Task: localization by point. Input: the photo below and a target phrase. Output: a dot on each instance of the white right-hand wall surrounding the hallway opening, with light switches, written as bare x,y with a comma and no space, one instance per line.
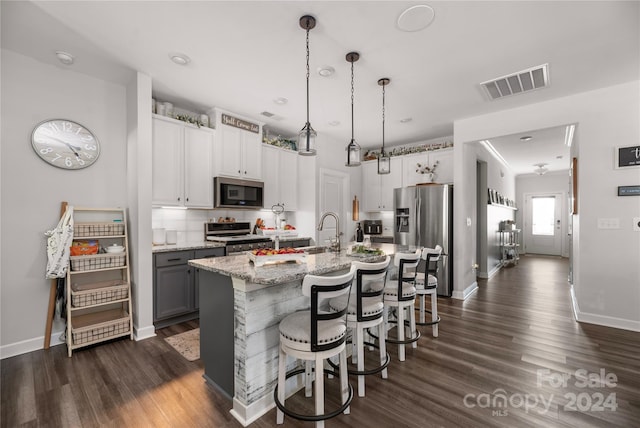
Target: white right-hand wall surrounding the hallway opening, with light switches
606,269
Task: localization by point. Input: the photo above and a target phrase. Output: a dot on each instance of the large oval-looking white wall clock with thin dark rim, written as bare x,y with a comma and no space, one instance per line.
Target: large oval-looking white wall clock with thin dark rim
65,144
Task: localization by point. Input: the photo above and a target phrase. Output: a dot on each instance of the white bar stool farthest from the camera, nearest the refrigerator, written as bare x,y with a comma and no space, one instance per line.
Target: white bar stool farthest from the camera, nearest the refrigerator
431,256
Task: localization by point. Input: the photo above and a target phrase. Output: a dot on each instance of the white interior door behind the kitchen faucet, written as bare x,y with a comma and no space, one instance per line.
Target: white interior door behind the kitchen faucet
333,188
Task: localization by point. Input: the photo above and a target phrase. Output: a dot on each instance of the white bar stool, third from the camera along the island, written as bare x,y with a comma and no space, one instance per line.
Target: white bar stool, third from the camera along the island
400,294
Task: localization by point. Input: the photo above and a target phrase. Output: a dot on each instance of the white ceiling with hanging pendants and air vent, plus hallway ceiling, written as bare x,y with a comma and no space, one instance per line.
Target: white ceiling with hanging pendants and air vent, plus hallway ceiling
245,54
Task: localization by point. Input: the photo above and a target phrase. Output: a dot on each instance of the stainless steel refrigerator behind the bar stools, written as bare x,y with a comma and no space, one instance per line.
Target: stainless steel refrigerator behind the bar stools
423,217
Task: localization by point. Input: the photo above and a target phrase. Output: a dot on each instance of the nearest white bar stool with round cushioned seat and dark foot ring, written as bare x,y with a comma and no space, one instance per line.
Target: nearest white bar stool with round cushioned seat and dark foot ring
315,335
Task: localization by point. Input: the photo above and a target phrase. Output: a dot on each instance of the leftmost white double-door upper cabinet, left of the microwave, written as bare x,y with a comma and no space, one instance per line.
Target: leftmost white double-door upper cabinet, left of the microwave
182,172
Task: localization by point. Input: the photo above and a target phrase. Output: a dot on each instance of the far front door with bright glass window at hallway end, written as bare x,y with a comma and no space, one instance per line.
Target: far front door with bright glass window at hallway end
543,224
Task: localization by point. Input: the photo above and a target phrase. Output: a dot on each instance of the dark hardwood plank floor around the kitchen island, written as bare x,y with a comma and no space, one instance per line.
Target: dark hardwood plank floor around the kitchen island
509,356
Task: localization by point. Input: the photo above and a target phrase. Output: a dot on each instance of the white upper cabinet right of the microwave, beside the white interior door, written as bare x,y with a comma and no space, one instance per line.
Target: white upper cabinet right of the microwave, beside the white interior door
280,171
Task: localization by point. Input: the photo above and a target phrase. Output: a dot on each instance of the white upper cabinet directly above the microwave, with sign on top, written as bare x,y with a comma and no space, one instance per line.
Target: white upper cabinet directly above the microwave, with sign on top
238,148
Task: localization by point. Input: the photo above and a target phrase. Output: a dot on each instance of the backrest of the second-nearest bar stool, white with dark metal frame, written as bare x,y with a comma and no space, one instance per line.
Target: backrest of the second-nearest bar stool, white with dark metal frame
366,275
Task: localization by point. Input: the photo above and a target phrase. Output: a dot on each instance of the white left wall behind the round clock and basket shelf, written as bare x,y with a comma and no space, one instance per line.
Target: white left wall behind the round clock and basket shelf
33,190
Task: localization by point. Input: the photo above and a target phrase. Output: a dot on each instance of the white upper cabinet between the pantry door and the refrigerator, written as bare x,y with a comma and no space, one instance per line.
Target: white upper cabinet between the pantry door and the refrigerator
378,188
